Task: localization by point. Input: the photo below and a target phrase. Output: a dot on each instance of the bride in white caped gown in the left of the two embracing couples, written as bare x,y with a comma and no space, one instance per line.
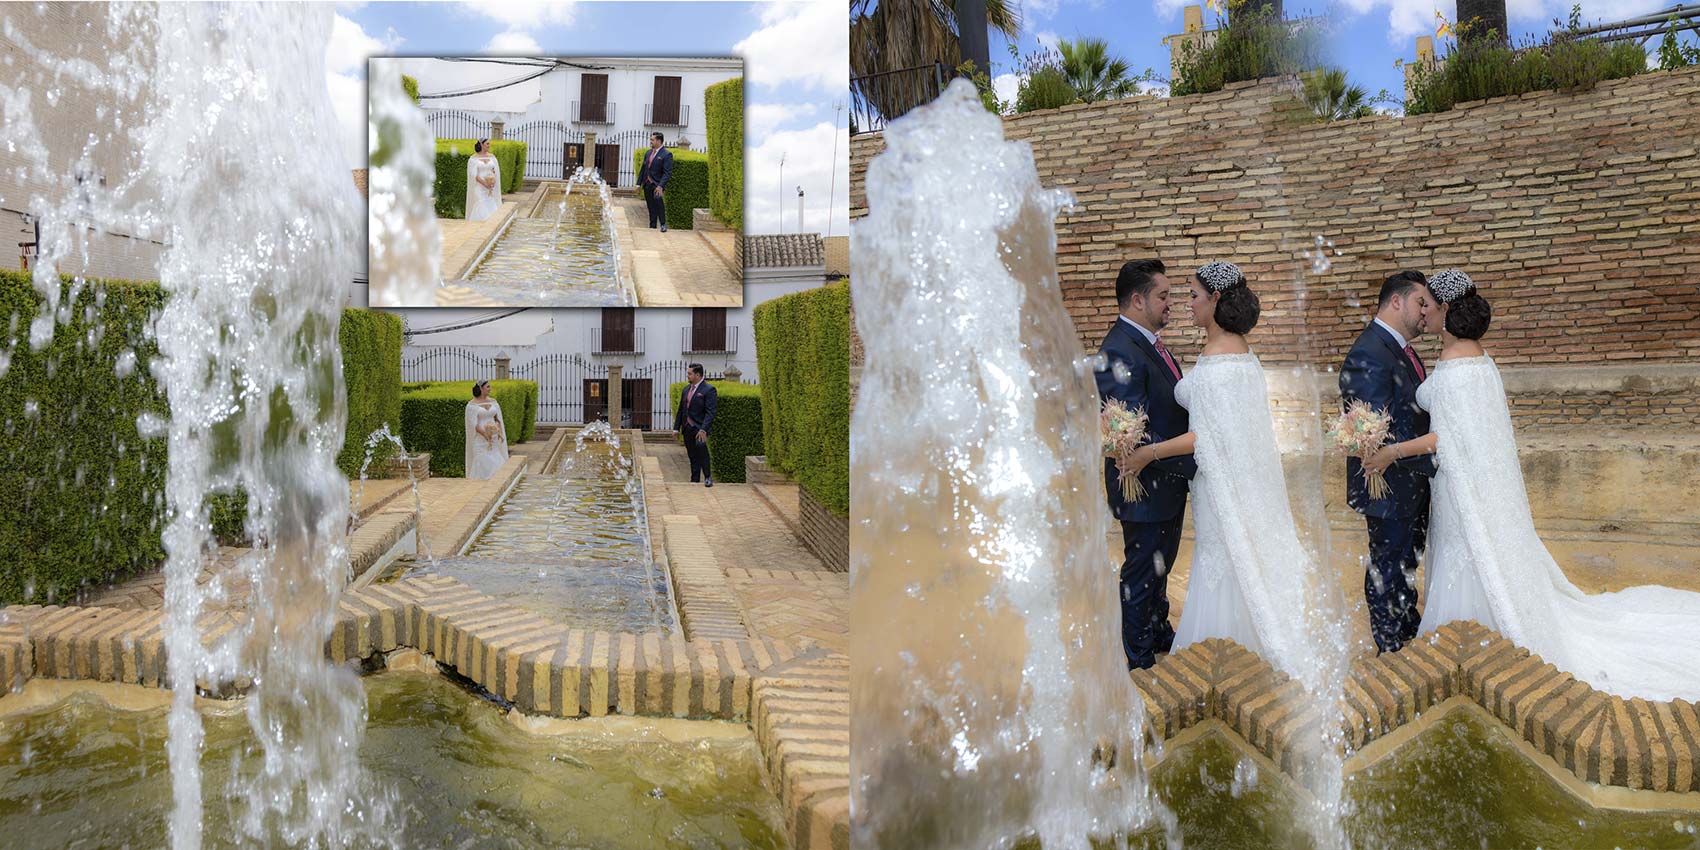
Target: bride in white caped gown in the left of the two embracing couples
1252,581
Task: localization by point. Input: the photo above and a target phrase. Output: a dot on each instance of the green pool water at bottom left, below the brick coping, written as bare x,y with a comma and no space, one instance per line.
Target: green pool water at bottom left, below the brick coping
82,774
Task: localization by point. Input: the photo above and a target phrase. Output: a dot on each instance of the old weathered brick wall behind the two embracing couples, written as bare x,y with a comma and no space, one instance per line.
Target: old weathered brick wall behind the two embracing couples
1578,213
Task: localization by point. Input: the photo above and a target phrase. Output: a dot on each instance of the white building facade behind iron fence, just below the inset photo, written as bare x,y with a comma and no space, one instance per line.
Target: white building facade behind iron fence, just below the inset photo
570,351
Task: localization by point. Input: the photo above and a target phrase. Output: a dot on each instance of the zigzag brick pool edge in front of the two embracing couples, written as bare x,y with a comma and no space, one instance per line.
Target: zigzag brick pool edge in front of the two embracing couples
1602,739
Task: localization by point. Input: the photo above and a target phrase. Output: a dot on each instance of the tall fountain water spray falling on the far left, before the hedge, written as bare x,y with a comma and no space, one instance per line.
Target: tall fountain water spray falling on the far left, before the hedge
222,132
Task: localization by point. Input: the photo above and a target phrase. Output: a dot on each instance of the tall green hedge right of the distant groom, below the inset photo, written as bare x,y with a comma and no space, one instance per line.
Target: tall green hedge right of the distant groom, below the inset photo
803,356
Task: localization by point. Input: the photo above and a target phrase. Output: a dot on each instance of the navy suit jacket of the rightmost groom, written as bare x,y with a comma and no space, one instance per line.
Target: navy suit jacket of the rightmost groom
1383,377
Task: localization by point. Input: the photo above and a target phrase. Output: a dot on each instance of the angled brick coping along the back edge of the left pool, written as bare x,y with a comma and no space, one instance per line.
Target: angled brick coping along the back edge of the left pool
538,666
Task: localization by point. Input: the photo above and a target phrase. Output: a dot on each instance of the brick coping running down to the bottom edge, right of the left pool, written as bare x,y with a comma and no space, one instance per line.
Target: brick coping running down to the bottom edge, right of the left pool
803,723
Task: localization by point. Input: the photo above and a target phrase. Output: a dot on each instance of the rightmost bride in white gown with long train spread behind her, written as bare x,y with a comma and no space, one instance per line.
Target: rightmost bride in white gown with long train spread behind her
1487,562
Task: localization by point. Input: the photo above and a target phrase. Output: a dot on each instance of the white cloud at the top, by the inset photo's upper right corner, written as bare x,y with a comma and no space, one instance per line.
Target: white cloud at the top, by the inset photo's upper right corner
802,43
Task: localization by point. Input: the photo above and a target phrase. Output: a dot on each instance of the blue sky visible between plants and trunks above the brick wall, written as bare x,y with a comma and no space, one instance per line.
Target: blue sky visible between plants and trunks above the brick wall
1368,35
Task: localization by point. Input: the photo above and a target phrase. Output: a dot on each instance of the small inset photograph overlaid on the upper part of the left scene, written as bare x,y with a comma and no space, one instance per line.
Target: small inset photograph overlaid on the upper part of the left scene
557,183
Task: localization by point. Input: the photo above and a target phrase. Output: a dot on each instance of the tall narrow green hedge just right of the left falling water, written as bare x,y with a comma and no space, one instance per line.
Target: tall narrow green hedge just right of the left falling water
371,371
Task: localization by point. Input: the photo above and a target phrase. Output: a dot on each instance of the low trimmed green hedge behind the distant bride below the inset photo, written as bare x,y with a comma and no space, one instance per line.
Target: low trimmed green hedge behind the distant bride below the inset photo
434,419
